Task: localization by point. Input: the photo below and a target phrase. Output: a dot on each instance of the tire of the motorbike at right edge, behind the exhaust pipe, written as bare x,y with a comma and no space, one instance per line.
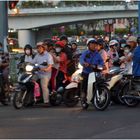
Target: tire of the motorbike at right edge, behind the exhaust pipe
129,102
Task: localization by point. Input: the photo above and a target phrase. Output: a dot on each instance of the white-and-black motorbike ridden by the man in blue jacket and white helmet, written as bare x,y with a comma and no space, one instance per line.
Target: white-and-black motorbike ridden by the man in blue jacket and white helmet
98,93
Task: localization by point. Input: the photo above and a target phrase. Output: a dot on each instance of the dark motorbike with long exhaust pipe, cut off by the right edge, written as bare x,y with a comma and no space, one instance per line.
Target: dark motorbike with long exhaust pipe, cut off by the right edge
131,90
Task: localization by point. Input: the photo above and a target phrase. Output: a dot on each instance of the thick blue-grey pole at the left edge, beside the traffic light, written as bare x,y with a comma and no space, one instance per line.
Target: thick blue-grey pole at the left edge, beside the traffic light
4,24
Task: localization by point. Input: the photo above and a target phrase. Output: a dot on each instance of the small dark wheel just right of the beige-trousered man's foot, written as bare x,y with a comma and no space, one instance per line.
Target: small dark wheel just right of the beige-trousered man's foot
55,99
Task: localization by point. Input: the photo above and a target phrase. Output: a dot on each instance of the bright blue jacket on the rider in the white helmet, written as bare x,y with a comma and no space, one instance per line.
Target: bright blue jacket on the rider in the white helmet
93,58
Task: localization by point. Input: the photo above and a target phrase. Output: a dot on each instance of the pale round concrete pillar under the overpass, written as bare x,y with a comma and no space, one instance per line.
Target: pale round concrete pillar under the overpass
26,37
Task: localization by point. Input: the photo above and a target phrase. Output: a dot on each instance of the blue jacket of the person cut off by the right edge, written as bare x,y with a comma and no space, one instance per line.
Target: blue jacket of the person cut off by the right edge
136,62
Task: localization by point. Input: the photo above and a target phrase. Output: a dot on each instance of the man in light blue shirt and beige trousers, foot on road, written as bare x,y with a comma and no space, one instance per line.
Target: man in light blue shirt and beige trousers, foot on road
45,71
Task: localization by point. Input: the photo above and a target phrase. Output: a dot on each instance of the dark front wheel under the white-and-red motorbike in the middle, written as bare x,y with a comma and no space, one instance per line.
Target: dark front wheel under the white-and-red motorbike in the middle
70,97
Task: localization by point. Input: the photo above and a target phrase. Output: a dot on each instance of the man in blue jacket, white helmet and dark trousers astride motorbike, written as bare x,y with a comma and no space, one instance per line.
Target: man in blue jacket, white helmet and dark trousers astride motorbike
89,57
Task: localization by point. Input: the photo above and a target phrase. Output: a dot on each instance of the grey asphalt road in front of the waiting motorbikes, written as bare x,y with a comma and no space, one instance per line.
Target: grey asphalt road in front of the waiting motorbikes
117,122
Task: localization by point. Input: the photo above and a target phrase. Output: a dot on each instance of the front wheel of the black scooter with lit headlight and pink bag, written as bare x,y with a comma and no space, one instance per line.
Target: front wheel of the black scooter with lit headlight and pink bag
18,102
